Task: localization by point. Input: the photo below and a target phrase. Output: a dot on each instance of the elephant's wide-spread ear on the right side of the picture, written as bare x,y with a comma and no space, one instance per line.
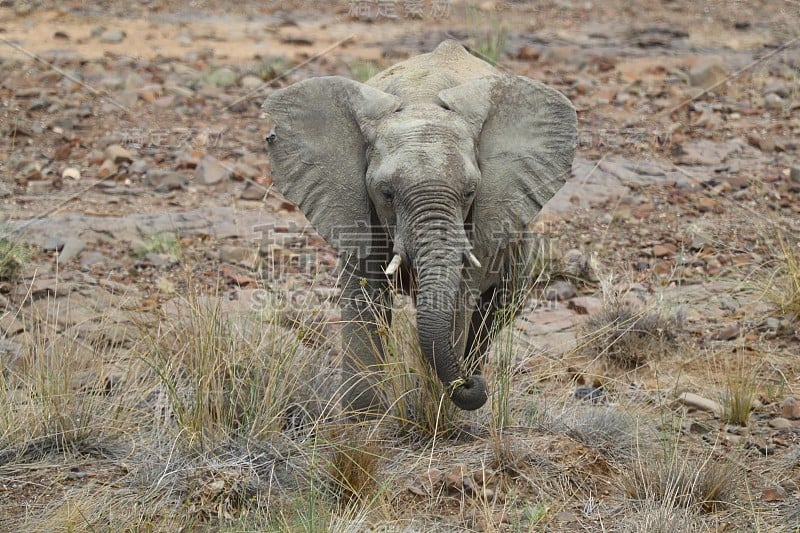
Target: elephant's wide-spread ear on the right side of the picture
526,143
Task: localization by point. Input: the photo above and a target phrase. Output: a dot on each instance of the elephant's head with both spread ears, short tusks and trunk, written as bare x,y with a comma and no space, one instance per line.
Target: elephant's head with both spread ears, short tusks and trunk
448,167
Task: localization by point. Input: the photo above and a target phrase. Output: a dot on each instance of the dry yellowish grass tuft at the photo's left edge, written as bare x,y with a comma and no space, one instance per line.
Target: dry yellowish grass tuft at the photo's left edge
56,400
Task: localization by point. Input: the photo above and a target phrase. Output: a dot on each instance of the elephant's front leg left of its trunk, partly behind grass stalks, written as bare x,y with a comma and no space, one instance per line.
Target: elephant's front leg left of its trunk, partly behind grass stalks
366,305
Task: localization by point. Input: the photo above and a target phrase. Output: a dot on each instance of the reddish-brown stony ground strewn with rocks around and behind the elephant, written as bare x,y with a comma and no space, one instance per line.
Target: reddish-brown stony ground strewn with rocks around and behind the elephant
132,152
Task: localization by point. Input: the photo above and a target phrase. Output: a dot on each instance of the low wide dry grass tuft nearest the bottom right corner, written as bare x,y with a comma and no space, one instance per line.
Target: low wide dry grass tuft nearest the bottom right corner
678,481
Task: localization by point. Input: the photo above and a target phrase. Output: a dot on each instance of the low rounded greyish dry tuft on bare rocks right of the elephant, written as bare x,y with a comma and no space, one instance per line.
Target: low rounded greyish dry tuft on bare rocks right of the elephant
629,336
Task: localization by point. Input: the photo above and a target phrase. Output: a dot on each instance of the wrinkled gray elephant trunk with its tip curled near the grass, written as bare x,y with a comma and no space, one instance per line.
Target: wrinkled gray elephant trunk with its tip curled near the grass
438,262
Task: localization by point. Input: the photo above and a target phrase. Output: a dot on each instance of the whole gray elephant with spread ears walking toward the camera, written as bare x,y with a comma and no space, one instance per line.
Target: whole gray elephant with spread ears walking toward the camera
429,173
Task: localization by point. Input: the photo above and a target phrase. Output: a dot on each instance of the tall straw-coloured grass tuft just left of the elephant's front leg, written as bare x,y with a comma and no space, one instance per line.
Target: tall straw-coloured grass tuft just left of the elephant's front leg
229,378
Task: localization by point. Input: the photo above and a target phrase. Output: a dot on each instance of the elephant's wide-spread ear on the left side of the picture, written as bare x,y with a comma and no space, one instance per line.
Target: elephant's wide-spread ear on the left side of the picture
317,148
